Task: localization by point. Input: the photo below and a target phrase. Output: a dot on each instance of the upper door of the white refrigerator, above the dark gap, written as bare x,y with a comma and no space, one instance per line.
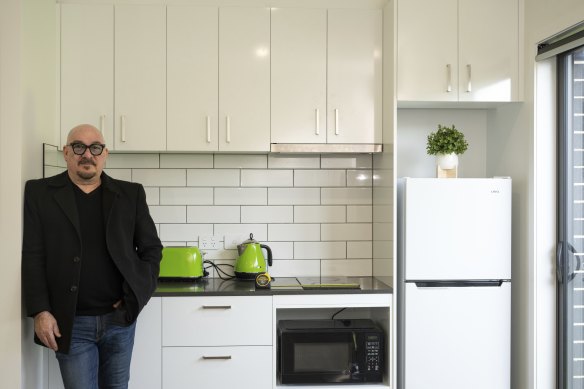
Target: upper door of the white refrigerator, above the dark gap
456,228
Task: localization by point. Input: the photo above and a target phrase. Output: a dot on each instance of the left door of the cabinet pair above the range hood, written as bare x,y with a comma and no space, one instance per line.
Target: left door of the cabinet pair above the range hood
298,75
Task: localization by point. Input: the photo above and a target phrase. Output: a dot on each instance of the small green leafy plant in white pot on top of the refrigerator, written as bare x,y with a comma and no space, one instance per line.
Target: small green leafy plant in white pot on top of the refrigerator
446,144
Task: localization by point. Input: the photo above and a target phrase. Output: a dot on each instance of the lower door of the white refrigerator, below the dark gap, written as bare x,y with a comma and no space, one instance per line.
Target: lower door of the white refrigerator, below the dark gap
456,337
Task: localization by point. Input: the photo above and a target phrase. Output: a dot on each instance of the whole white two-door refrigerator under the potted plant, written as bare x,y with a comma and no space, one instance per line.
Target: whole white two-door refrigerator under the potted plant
454,283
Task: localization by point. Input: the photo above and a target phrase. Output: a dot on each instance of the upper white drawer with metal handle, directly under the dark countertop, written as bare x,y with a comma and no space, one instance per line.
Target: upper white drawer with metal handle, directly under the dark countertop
217,321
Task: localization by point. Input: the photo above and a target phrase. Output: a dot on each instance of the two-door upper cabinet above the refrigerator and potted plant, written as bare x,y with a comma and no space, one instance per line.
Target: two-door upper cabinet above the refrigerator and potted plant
458,50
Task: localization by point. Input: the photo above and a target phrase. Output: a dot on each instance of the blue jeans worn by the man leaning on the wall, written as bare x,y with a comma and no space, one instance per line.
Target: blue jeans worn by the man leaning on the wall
100,354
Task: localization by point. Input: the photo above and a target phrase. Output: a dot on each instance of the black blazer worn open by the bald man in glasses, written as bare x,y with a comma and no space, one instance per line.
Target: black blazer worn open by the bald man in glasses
51,250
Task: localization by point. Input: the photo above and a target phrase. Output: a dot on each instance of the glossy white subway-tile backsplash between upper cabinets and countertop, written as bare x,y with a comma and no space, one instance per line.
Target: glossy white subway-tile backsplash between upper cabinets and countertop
314,211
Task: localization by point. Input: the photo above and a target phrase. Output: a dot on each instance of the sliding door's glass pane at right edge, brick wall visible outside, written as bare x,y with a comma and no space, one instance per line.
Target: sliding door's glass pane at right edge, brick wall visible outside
570,250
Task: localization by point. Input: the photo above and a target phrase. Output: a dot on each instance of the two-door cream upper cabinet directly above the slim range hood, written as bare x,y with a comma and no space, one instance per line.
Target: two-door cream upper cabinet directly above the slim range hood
326,75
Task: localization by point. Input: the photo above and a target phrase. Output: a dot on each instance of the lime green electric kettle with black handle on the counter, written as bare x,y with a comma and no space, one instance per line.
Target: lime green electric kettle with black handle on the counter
251,259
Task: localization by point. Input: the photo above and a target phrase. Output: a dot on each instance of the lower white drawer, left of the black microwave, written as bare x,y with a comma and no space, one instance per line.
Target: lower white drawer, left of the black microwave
217,367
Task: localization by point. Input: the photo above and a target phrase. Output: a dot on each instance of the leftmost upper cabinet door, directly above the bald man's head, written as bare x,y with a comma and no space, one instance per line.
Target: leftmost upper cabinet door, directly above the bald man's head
87,68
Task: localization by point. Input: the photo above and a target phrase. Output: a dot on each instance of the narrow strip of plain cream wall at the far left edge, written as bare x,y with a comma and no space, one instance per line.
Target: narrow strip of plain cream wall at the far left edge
10,190
